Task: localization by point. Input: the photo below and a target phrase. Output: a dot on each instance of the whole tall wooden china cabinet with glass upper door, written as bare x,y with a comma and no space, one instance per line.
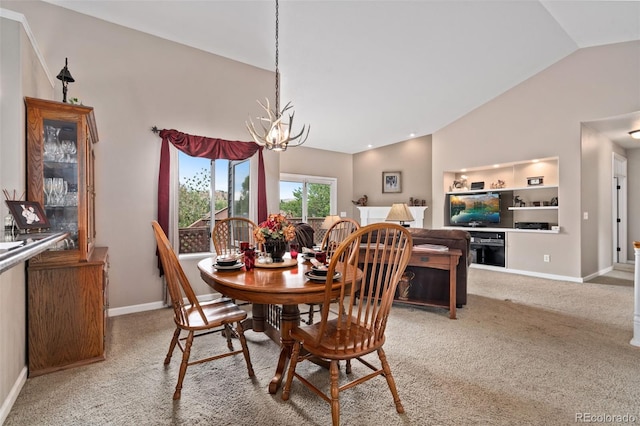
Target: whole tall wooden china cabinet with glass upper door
66,286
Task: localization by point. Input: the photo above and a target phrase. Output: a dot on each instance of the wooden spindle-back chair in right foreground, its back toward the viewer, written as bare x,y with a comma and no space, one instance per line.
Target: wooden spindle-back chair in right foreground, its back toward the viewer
353,330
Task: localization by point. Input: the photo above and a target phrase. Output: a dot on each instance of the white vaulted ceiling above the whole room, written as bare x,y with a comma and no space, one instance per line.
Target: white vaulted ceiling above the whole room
373,72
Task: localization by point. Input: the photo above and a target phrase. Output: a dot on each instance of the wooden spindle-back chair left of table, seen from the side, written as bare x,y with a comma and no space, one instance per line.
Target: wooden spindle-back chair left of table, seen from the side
192,316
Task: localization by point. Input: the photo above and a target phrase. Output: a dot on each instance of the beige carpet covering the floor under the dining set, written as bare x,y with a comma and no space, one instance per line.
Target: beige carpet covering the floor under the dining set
524,351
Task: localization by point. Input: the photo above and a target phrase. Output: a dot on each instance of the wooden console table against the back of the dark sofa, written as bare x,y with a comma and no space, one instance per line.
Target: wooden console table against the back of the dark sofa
447,260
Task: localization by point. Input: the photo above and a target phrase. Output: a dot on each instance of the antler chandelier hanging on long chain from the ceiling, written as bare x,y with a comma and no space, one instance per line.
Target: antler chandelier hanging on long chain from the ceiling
276,135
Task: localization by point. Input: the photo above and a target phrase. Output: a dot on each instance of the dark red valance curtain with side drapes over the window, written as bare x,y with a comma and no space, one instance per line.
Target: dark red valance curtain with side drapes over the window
212,148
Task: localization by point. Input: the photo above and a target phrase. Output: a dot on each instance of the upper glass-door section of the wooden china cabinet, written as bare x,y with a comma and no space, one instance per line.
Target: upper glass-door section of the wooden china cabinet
60,162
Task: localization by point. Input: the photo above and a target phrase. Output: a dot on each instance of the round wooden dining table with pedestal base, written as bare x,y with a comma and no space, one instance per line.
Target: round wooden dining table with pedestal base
266,287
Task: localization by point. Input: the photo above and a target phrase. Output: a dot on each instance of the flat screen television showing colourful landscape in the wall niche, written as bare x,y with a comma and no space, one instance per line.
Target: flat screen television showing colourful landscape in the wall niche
478,209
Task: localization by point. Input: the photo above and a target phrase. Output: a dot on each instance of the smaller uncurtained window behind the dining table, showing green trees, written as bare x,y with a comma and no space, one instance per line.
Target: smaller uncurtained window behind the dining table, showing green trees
308,199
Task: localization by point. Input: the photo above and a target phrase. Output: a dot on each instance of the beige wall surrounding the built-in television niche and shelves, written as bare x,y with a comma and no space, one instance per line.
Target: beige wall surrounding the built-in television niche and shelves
542,117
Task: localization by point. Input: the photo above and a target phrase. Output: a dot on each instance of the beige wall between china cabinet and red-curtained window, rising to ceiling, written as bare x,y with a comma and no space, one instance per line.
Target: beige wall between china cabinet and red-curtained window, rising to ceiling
135,81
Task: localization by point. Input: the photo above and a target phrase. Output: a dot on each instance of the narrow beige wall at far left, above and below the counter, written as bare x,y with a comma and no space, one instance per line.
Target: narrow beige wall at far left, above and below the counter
17,57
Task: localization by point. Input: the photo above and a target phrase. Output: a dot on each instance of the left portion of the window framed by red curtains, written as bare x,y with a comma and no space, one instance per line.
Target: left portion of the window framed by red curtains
195,200
